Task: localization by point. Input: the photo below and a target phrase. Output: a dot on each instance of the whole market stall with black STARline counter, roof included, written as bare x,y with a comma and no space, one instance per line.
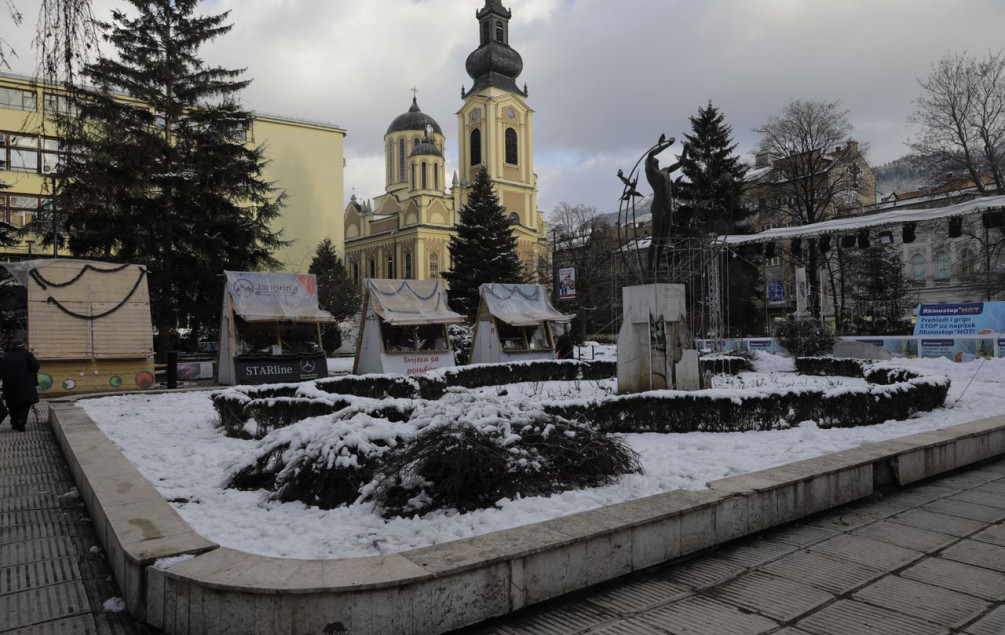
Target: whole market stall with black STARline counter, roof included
271,329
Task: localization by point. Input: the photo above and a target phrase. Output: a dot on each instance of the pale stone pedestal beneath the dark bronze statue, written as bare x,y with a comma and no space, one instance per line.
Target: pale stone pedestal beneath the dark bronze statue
656,349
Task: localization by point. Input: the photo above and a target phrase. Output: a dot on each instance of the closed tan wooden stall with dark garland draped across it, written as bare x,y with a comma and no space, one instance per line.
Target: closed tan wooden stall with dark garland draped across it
89,325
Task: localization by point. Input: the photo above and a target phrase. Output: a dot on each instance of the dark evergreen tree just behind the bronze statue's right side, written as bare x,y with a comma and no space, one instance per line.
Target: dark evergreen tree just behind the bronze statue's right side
714,175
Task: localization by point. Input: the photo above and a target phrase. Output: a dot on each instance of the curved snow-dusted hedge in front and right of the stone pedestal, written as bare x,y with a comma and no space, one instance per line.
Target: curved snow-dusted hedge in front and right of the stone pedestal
894,394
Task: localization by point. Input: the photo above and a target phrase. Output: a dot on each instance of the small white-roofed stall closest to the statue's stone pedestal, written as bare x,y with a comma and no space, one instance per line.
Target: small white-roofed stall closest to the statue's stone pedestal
515,324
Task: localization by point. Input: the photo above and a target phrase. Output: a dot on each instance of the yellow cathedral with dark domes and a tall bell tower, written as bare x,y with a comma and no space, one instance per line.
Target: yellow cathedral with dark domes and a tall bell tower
406,233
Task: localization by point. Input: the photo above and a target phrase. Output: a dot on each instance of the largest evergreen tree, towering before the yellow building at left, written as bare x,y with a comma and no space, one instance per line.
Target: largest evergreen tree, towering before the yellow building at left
165,179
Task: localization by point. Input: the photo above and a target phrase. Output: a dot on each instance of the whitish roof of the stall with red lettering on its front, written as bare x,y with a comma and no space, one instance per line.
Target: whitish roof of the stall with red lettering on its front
412,302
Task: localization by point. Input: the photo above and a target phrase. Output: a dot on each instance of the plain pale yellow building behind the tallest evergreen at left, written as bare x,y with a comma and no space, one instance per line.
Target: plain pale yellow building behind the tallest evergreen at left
305,160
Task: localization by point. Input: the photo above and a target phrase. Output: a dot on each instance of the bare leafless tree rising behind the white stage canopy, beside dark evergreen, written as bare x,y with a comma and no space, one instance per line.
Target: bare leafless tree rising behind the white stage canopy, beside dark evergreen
813,178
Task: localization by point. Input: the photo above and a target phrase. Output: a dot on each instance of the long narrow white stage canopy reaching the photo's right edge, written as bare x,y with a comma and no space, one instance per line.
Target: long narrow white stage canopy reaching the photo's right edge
883,220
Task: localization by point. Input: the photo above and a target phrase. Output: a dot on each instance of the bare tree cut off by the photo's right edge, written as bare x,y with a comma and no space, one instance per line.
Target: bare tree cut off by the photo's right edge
961,113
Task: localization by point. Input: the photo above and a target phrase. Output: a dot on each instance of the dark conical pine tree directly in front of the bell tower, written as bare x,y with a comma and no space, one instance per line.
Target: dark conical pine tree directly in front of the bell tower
485,250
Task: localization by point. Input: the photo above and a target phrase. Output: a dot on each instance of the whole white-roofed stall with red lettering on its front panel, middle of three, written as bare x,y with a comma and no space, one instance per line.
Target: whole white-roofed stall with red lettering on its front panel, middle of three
404,328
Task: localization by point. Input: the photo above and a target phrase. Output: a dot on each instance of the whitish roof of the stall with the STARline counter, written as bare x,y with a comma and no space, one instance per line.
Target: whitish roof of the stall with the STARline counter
276,297
